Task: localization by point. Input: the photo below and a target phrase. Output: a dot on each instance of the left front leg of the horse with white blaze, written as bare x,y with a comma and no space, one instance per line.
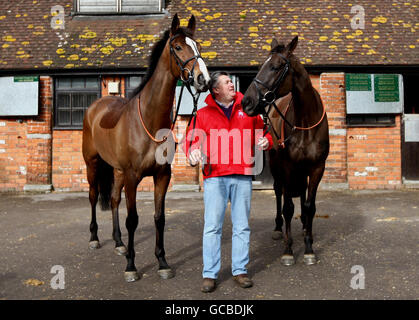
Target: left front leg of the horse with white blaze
131,183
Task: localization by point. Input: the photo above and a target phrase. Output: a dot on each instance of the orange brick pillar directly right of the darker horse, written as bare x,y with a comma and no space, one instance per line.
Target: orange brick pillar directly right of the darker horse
332,92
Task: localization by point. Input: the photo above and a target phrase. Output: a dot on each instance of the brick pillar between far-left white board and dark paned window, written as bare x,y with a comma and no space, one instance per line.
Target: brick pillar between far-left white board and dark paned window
39,142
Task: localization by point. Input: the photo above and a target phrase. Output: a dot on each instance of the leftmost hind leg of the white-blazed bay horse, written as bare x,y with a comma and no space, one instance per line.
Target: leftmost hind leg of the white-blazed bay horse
91,167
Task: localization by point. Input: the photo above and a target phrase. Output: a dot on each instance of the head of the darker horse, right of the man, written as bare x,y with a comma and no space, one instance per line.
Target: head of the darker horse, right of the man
274,79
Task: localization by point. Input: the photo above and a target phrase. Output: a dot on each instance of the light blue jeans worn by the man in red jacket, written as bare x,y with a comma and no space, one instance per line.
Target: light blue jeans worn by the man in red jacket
217,192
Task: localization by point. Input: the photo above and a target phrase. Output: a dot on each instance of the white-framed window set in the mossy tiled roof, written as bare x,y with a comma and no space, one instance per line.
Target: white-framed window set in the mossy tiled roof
118,6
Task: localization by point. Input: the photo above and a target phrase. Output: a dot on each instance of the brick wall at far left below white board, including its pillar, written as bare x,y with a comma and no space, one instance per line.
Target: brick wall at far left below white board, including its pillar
25,146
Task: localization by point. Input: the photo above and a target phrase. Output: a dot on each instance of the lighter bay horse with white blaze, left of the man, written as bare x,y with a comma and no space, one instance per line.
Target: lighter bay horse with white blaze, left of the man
120,144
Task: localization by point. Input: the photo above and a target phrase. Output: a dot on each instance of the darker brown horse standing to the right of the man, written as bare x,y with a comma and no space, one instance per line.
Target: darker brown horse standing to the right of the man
298,159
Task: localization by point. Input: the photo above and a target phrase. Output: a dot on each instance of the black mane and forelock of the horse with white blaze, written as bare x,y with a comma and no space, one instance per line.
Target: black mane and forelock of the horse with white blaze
154,58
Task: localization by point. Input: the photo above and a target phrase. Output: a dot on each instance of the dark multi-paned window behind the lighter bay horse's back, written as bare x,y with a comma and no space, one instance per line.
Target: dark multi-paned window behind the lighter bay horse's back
73,95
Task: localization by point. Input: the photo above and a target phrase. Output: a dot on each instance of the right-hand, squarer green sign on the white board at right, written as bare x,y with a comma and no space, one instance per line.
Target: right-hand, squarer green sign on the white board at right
386,88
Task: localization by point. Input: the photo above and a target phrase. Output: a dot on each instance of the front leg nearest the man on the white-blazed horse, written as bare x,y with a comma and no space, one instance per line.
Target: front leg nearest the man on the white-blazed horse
161,183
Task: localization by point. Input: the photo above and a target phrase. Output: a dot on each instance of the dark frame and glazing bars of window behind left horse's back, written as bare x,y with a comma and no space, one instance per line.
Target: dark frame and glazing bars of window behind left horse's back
57,91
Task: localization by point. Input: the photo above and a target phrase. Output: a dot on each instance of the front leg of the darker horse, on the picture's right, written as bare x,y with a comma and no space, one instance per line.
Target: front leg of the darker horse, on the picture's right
310,210
